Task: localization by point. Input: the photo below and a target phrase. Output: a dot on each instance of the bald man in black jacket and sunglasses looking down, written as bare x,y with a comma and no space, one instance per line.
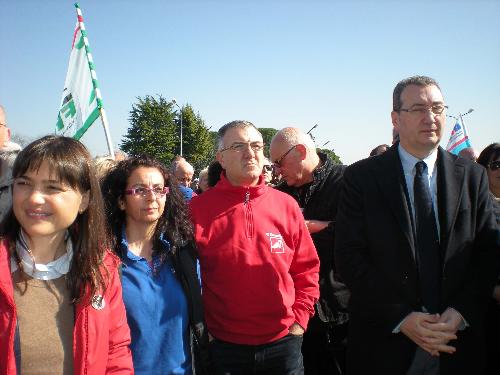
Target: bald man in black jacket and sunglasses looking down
315,182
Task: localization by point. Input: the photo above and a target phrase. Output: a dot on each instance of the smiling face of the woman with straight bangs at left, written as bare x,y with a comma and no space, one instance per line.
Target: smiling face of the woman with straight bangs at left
44,206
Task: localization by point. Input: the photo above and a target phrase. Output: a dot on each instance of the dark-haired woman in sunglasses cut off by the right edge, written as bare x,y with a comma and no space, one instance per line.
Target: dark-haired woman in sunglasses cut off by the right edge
490,159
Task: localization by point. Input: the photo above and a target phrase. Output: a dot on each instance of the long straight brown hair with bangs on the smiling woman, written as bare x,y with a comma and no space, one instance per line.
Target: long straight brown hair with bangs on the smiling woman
72,164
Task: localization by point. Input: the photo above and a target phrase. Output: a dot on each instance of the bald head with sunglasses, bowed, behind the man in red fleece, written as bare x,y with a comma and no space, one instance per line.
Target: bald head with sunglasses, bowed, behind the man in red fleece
294,154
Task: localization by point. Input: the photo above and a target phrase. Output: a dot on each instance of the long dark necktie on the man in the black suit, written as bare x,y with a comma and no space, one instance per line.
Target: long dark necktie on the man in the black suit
427,241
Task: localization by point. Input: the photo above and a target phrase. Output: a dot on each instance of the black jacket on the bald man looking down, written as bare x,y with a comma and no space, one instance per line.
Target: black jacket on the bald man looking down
319,200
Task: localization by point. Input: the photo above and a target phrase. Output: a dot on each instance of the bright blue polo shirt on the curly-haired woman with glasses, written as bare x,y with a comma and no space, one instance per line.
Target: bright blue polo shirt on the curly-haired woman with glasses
157,313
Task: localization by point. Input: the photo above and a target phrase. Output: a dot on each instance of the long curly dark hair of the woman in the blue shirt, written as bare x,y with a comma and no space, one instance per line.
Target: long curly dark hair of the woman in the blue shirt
174,222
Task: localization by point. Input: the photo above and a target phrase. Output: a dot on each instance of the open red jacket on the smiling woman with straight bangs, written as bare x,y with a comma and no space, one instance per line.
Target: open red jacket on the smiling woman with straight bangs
101,338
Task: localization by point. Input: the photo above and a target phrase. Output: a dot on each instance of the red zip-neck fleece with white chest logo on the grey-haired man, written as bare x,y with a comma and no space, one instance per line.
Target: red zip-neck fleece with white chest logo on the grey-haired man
259,266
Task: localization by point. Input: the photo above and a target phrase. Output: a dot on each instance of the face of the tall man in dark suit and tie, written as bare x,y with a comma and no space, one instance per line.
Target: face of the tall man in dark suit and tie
419,133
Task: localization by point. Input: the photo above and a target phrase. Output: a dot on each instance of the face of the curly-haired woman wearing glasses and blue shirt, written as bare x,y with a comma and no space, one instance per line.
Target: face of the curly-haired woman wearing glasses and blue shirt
148,209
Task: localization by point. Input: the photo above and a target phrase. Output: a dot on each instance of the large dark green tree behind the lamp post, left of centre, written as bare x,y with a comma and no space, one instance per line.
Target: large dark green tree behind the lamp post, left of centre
155,130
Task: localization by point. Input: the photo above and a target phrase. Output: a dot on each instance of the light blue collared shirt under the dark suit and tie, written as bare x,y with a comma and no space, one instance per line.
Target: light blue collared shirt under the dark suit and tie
408,162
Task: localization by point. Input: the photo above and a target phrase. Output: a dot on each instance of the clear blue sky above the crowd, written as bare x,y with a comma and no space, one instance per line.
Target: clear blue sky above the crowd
275,63
